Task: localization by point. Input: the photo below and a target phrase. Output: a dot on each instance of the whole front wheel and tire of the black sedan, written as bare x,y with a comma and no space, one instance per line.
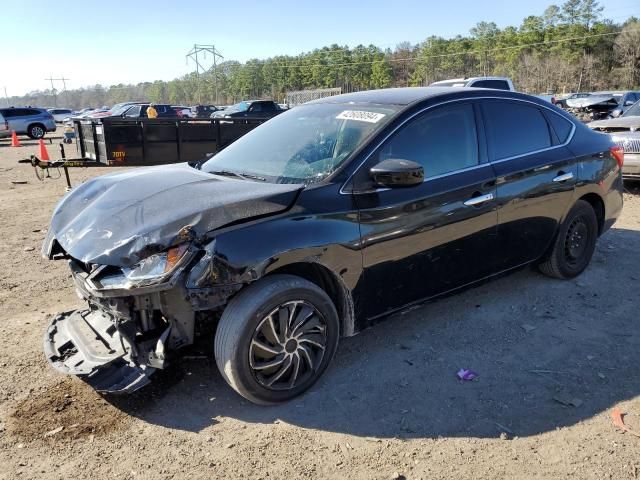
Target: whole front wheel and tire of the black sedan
264,362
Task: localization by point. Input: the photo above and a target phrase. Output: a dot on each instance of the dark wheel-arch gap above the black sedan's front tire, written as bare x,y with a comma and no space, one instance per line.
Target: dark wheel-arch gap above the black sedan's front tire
332,284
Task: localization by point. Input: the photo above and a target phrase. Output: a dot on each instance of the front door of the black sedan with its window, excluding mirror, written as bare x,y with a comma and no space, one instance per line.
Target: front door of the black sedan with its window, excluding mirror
425,240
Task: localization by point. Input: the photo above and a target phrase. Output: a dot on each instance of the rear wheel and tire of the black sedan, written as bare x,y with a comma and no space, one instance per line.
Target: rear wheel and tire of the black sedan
574,245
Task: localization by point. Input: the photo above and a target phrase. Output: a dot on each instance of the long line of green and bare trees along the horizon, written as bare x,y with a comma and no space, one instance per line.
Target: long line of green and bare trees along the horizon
568,48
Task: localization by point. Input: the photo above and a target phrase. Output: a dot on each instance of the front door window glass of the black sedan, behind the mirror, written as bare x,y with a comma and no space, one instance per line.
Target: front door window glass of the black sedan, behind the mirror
442,140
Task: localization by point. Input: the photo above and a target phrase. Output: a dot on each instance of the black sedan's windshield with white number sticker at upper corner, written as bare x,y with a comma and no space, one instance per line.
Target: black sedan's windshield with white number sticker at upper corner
303,145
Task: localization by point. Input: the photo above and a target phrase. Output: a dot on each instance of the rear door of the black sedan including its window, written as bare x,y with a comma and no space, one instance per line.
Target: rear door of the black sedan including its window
535,175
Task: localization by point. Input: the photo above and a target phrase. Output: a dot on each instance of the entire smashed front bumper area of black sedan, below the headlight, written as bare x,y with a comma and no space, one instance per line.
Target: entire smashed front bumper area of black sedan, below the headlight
126,335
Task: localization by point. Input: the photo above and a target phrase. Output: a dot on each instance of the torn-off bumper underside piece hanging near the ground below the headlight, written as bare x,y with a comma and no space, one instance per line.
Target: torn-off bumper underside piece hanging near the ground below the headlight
88,344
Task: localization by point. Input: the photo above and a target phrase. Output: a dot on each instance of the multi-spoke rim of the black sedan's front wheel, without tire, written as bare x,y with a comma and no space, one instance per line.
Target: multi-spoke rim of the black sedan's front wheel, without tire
288,346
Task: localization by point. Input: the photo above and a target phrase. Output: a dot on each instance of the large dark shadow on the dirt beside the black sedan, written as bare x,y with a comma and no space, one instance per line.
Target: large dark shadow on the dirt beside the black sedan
548,354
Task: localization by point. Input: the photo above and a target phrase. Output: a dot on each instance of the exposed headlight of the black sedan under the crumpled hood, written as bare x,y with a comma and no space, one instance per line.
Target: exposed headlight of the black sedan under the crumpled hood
150,271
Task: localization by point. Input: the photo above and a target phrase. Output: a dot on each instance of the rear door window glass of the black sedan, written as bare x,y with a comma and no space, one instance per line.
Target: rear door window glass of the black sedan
514,128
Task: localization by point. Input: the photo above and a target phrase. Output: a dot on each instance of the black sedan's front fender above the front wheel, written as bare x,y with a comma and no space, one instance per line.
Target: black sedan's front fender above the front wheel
328,239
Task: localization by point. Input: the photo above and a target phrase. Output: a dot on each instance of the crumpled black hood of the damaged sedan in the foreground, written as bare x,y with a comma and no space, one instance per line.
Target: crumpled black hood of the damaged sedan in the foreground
120,218
